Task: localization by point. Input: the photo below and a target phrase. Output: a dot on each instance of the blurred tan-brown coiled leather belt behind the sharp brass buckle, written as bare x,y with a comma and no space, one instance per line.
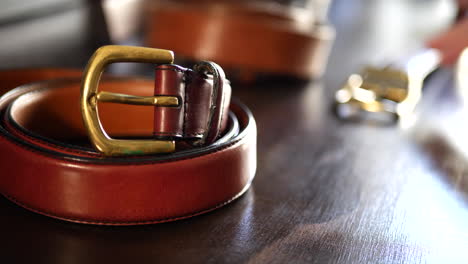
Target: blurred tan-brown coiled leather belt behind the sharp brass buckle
252,37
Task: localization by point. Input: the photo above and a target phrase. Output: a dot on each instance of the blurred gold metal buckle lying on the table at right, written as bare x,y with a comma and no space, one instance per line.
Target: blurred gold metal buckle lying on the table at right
389,90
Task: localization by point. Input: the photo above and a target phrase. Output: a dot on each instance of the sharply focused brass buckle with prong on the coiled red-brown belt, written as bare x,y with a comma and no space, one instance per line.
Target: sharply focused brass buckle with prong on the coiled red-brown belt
90,96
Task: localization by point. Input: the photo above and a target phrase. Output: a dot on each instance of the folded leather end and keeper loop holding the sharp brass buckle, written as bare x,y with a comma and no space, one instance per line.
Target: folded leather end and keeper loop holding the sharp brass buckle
192,119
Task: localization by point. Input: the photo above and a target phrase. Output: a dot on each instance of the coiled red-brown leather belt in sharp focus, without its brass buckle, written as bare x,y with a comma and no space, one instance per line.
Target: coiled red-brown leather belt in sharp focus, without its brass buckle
48,165
